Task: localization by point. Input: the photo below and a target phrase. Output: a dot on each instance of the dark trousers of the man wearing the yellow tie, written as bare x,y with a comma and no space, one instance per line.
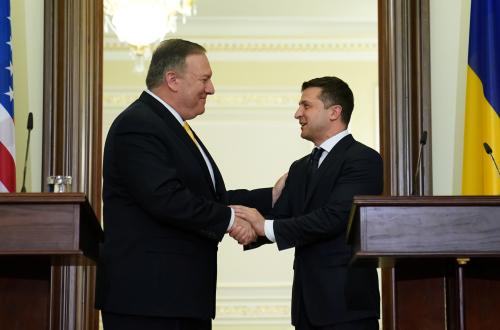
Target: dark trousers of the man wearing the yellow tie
112,321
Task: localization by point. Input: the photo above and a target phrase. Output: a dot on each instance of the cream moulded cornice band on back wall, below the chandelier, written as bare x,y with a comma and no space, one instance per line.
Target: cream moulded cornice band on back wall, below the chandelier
271,38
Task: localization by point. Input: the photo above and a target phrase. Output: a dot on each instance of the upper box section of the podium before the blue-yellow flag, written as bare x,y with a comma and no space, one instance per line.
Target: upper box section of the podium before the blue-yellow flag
425,226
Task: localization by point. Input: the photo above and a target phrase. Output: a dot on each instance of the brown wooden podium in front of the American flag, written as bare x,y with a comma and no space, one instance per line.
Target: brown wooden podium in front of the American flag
41,234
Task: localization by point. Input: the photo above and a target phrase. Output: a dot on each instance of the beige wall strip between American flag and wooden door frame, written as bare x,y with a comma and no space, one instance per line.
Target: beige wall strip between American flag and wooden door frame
27,48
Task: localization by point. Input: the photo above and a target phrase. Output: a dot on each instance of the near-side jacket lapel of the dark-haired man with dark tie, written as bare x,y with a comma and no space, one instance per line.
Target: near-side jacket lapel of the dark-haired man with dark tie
329,168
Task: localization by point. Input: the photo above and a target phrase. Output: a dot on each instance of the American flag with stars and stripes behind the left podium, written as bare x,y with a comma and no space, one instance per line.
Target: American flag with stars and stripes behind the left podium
7,146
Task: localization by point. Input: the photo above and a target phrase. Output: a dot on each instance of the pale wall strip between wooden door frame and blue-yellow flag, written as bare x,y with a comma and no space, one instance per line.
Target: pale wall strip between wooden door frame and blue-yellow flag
449,44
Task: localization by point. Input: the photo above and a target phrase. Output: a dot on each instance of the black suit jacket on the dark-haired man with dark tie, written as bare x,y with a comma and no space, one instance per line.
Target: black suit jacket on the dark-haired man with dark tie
315,223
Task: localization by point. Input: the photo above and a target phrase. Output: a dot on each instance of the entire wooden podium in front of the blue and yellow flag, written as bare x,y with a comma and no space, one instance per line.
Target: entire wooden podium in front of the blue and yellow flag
440,259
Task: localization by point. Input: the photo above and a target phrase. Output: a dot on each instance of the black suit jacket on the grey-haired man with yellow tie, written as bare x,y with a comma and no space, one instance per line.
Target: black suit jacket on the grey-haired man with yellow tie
163,218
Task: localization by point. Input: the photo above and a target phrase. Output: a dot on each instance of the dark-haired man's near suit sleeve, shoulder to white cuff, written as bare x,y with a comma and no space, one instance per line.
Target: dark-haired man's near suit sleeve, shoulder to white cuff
360,175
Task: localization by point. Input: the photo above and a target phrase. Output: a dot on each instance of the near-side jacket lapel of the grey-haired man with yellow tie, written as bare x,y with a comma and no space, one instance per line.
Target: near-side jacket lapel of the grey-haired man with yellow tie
181,133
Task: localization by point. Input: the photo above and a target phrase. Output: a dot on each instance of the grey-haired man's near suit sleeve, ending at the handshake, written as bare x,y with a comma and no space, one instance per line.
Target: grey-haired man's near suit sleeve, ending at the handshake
148,165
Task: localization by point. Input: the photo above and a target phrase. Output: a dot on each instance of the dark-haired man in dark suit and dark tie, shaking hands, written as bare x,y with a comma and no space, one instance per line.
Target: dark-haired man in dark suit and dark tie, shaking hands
312,214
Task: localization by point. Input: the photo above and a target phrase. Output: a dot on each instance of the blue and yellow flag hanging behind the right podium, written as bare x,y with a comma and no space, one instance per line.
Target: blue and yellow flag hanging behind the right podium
482,112
